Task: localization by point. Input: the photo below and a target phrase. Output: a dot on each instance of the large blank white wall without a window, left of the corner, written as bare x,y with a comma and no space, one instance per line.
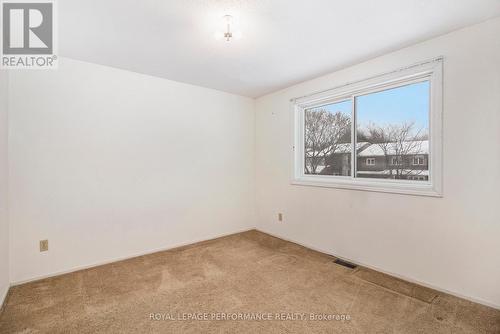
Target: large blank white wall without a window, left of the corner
107,163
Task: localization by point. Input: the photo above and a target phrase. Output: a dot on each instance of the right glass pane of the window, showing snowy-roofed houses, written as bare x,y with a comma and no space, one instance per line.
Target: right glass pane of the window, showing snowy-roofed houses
393,133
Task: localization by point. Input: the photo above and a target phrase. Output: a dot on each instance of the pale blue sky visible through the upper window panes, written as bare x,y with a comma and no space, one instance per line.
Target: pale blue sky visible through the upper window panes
402,104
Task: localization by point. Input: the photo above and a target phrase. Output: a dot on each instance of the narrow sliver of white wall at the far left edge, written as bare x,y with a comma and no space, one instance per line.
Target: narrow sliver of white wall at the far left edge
4,226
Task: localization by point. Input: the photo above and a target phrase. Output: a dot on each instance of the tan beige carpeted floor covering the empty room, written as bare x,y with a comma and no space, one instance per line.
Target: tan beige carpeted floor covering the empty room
247,277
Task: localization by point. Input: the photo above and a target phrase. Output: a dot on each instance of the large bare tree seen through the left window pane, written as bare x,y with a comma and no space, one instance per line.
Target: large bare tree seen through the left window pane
323,132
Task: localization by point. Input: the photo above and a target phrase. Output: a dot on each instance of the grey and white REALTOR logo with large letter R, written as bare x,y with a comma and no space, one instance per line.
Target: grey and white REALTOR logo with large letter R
28,35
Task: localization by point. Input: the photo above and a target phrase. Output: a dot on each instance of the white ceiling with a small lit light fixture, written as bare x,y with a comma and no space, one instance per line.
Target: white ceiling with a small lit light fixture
284,41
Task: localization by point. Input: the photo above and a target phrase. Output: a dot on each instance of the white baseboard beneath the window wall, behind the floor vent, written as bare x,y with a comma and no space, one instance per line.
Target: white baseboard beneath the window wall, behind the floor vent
408,279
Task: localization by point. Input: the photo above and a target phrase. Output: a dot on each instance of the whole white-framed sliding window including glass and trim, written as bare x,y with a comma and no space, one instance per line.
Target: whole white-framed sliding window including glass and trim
380,134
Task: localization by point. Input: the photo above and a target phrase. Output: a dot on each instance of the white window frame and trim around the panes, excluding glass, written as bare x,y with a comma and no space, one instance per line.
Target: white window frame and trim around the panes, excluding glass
431,71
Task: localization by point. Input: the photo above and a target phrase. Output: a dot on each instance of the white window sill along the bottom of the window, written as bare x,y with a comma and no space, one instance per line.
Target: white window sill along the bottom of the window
417,188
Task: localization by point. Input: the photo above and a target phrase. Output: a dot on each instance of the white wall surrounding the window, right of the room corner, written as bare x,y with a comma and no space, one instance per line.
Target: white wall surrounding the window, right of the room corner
450,243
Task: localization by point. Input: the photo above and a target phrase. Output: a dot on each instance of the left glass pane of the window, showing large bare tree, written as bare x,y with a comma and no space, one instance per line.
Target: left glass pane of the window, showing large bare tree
327,141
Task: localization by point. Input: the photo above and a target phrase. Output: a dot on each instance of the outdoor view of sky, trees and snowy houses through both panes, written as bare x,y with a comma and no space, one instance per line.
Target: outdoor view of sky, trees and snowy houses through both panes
391,132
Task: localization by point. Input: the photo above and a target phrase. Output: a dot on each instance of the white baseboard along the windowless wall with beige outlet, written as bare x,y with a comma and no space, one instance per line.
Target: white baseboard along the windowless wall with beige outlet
131,256
